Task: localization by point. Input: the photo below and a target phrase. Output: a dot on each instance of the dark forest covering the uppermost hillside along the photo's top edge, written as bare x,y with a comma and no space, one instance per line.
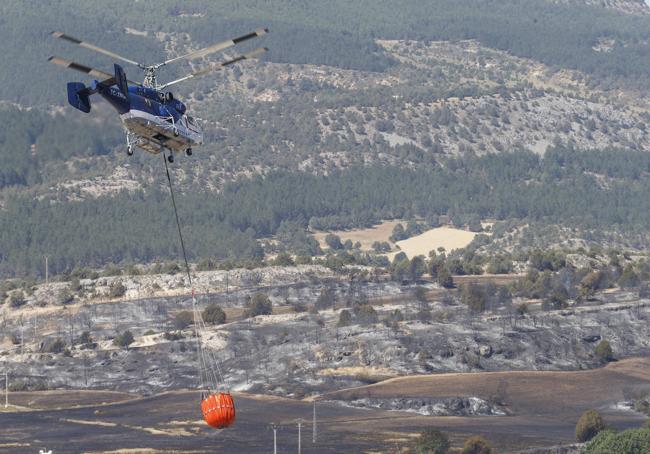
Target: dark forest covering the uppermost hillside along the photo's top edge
332,32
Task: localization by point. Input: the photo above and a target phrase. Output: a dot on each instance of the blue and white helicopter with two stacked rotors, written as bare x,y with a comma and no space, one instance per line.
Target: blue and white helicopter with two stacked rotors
153,118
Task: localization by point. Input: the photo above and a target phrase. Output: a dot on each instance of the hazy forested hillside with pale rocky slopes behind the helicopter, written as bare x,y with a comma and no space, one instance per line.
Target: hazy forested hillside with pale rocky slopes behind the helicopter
403,112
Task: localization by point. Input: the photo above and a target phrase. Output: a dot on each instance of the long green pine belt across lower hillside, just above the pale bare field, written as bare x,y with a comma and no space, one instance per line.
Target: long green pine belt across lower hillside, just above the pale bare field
562,187
